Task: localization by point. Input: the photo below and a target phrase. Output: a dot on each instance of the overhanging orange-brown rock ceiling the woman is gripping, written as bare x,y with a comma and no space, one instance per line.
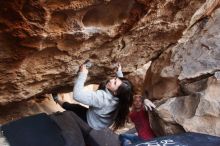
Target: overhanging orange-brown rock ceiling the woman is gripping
44,41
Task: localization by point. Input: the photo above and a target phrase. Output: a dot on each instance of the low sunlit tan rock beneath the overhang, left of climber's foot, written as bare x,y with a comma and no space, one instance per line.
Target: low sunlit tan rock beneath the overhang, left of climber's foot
17,110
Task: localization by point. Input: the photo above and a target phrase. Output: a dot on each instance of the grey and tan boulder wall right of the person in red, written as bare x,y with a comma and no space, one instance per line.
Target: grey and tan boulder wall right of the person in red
186,77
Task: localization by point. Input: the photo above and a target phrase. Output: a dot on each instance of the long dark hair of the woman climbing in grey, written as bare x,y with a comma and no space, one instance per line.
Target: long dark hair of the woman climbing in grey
125,95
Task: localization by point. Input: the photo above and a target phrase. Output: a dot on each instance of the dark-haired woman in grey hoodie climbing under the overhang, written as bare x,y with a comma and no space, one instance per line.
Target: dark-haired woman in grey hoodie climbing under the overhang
108,105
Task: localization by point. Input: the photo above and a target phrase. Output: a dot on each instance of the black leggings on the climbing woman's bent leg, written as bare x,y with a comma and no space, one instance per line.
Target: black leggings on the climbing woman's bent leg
79,110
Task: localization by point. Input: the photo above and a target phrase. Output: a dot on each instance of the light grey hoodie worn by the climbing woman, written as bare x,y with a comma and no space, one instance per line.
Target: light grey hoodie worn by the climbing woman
102,103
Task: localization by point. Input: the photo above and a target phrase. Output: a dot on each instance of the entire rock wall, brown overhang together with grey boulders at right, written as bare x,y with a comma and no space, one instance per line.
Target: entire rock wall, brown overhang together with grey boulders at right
42,43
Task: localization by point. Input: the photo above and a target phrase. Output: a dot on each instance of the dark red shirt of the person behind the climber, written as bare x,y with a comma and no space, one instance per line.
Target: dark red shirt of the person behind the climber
142,125
